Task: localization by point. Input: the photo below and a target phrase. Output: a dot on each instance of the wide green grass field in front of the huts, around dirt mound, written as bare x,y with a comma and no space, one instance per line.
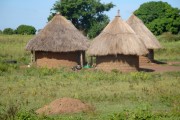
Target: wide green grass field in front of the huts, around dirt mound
111,93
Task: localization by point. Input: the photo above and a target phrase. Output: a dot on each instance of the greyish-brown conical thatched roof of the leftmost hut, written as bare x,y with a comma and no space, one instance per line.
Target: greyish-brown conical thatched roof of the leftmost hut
59,35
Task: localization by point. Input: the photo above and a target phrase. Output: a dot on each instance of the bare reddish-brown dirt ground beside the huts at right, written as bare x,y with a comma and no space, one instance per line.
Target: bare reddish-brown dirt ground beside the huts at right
161,67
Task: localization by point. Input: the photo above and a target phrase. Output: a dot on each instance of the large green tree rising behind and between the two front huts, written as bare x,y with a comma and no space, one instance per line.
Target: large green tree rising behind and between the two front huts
87,15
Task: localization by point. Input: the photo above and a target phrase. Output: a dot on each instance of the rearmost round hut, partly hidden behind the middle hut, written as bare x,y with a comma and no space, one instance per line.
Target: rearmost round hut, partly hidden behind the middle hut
147,38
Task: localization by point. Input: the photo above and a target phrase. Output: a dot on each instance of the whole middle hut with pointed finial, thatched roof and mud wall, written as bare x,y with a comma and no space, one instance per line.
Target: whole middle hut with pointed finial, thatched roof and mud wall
117,47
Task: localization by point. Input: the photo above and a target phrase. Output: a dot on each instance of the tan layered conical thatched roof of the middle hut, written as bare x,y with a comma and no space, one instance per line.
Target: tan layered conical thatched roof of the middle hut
117,38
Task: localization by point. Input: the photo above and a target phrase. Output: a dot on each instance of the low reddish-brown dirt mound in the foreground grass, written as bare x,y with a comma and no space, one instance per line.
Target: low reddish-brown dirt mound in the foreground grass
64,106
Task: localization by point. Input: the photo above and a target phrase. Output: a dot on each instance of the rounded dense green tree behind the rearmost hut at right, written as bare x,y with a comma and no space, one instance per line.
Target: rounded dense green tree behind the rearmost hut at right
159,17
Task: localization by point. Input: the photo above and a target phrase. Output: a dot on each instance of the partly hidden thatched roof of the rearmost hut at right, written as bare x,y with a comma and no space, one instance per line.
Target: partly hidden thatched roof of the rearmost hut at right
143,32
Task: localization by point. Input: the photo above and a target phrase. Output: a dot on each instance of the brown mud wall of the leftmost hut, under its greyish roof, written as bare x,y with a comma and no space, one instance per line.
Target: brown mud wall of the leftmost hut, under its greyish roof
54,59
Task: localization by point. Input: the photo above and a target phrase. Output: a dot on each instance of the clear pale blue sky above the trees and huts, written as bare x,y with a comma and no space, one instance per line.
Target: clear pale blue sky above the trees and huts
35,12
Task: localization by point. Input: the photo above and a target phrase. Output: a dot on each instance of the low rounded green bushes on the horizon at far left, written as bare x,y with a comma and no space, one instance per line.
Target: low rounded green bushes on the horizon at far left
22,30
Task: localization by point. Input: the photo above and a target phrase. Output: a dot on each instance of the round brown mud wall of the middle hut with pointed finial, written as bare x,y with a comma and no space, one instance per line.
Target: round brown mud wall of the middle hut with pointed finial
124,63
